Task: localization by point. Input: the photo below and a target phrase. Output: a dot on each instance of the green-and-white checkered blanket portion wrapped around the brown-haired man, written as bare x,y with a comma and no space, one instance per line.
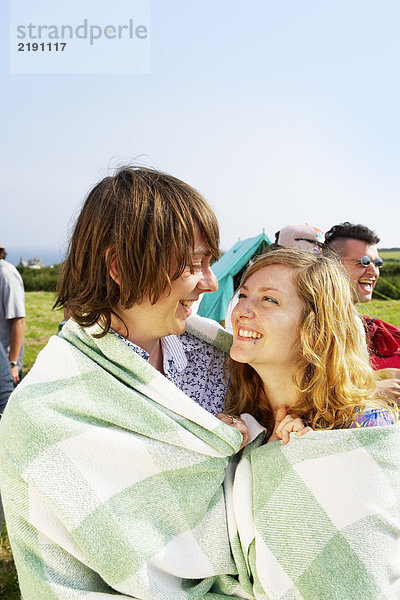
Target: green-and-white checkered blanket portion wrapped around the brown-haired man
112,477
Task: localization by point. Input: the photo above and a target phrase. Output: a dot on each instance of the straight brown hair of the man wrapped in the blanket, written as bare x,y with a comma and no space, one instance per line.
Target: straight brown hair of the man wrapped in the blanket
144,220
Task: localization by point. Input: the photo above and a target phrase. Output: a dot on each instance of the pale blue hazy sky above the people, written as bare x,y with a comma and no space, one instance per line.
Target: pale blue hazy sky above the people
278,112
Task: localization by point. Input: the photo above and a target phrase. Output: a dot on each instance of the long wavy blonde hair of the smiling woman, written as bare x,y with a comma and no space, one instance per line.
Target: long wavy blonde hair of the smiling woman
332,373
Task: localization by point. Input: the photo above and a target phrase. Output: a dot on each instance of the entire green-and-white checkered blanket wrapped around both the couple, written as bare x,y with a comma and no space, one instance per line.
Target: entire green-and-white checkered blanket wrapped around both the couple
112,481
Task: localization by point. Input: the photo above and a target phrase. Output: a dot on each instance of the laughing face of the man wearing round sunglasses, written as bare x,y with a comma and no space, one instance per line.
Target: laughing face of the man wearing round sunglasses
363,278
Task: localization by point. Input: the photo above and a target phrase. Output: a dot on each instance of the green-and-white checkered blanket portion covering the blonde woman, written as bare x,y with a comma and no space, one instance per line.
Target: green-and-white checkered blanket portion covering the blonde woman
319,518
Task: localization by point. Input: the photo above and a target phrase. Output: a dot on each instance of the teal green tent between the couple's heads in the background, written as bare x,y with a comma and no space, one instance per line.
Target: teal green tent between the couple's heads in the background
228,271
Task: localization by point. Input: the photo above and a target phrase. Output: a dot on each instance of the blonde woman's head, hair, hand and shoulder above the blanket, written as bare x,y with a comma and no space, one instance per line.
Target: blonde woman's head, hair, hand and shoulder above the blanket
298,346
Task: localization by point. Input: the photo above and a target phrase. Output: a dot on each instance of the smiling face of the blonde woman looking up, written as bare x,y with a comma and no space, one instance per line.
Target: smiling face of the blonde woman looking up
266,321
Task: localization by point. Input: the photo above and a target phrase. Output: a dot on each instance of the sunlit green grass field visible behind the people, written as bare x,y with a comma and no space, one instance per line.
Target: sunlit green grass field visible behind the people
41,323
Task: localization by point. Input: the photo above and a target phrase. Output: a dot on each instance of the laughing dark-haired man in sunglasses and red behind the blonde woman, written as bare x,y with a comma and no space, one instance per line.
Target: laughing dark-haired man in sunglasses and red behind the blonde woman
356,247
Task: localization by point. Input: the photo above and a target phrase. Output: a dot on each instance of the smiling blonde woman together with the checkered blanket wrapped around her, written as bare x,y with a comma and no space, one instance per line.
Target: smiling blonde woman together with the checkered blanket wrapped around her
317,516
